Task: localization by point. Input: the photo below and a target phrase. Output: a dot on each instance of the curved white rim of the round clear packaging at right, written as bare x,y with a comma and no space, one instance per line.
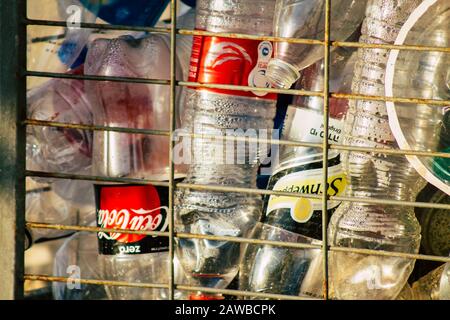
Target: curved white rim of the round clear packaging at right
389,81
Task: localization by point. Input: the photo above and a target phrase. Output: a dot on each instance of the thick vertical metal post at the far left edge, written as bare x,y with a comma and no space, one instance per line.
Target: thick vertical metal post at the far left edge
12,148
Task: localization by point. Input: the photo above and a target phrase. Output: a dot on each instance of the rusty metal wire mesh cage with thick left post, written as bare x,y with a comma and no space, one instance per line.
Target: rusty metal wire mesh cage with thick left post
14,122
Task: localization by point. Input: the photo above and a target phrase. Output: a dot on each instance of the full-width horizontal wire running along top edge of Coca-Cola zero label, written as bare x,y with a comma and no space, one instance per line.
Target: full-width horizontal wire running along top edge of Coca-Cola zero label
237,189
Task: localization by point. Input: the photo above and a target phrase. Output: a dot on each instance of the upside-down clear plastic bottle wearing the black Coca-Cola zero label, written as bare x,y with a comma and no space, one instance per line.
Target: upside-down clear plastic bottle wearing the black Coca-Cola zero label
125,257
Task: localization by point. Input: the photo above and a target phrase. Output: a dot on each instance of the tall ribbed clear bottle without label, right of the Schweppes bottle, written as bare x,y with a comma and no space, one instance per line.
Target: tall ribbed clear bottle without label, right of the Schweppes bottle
373,175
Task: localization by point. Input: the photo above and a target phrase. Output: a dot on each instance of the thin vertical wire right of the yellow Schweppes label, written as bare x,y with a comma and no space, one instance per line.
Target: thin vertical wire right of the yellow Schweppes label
326,93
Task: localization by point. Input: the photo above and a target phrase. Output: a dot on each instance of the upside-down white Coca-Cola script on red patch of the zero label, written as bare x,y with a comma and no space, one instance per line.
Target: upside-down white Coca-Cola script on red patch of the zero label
117,209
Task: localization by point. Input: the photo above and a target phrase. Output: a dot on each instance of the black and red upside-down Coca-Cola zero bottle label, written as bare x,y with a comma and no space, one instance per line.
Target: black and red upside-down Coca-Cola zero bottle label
131,207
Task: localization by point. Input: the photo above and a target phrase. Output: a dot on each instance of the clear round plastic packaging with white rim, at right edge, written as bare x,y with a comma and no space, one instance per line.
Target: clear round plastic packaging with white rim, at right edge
423,75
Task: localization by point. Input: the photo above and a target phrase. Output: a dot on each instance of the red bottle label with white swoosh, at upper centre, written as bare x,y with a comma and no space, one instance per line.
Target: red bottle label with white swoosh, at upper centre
243,62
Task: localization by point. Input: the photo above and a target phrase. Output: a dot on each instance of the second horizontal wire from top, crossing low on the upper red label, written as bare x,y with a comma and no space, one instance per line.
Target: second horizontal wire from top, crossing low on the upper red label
237,88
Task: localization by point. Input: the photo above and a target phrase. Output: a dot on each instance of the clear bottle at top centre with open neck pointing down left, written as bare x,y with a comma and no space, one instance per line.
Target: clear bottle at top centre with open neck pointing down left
306,19
